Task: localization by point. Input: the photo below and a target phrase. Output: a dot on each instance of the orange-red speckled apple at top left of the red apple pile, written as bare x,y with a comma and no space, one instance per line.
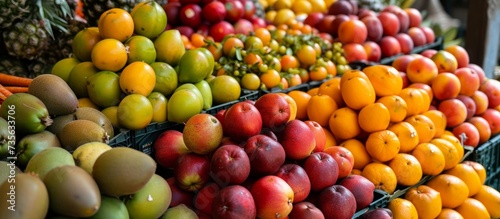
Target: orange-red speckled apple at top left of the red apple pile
202,133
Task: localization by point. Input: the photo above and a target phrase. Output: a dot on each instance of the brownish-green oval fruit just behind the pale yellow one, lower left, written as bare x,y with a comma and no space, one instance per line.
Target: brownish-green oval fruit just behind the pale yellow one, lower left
81,131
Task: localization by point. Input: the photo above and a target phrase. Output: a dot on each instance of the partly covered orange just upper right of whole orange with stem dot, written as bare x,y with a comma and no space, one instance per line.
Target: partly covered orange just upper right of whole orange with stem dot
407,135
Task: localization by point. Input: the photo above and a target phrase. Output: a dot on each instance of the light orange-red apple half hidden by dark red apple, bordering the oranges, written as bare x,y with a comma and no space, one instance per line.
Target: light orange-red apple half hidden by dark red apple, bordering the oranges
344,158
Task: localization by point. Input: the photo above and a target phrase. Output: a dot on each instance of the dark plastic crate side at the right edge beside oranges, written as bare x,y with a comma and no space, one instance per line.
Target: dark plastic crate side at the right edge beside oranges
488,154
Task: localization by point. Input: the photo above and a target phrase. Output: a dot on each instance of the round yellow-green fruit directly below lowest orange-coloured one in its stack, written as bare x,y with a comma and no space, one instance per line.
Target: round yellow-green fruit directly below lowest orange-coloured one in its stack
135,112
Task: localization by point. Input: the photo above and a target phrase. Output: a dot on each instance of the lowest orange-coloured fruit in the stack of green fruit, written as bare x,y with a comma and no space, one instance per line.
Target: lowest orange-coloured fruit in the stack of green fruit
137,78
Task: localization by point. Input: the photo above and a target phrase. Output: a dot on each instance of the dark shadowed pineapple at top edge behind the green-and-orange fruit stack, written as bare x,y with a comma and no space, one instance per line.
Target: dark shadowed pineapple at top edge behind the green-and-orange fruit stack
92,9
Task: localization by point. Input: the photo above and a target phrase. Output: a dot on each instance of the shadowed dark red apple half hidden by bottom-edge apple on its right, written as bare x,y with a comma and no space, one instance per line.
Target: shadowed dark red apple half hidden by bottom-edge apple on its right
204,198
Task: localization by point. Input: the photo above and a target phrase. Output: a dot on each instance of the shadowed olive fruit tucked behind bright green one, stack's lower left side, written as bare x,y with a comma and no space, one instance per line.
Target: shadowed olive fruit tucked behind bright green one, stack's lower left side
78,78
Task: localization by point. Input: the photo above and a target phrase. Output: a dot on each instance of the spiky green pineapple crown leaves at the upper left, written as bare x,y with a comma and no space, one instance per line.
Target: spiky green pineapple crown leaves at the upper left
53,12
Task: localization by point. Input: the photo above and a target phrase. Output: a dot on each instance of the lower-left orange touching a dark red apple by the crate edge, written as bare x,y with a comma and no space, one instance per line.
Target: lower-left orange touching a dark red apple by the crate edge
382,176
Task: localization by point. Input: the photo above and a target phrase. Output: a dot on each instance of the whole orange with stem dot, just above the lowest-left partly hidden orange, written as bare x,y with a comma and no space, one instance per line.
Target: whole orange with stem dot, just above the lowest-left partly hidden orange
382,145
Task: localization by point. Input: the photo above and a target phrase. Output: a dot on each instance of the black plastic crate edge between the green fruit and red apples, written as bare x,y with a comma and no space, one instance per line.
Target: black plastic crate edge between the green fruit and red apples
143,139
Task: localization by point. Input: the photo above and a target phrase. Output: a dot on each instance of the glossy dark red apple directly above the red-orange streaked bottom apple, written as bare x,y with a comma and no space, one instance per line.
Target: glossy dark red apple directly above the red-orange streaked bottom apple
266,155
